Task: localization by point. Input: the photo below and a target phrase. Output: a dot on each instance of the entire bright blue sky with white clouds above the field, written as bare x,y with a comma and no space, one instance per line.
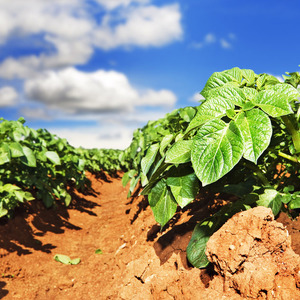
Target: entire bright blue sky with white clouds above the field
93,71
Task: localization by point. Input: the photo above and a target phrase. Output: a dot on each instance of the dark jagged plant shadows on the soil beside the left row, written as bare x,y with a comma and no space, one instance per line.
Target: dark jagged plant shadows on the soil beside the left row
32,220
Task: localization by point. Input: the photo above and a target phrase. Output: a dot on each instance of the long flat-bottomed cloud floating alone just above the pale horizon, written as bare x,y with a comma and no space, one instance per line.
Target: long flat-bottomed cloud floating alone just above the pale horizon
78,92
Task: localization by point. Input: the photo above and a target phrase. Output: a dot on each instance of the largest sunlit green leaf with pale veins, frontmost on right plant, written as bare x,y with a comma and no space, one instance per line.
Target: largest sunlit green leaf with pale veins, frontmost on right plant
217,148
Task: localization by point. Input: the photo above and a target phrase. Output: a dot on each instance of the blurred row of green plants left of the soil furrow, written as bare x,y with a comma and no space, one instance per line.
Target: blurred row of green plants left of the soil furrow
35,164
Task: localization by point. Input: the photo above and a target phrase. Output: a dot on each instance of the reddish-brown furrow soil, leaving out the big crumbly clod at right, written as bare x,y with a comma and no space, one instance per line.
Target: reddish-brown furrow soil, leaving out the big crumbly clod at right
137,261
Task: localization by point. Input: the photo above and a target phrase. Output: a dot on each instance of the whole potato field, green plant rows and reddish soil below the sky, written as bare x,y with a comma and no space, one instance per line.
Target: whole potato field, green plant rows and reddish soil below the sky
203,204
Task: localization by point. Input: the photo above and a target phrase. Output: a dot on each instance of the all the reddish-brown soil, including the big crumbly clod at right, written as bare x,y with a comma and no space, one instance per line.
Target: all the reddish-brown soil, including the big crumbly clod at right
137,260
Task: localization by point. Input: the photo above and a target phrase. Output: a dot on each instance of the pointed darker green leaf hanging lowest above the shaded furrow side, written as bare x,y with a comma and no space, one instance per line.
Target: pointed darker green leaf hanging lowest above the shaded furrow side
162,203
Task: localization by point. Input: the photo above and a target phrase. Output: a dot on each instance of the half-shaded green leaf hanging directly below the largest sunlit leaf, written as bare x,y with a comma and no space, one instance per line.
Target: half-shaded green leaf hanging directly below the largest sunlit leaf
184,185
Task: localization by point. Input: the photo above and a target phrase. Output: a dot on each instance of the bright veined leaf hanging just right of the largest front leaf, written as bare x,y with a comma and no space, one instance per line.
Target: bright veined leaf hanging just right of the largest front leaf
256,129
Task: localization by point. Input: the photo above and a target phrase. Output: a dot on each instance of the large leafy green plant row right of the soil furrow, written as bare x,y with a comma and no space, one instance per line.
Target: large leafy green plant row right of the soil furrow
243,139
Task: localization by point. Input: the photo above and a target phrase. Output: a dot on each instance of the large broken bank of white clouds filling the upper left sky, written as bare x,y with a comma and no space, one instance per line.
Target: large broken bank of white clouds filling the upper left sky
74,32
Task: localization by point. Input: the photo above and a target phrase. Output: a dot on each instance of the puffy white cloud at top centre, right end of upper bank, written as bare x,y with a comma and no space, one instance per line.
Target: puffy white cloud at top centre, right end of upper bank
142,26
